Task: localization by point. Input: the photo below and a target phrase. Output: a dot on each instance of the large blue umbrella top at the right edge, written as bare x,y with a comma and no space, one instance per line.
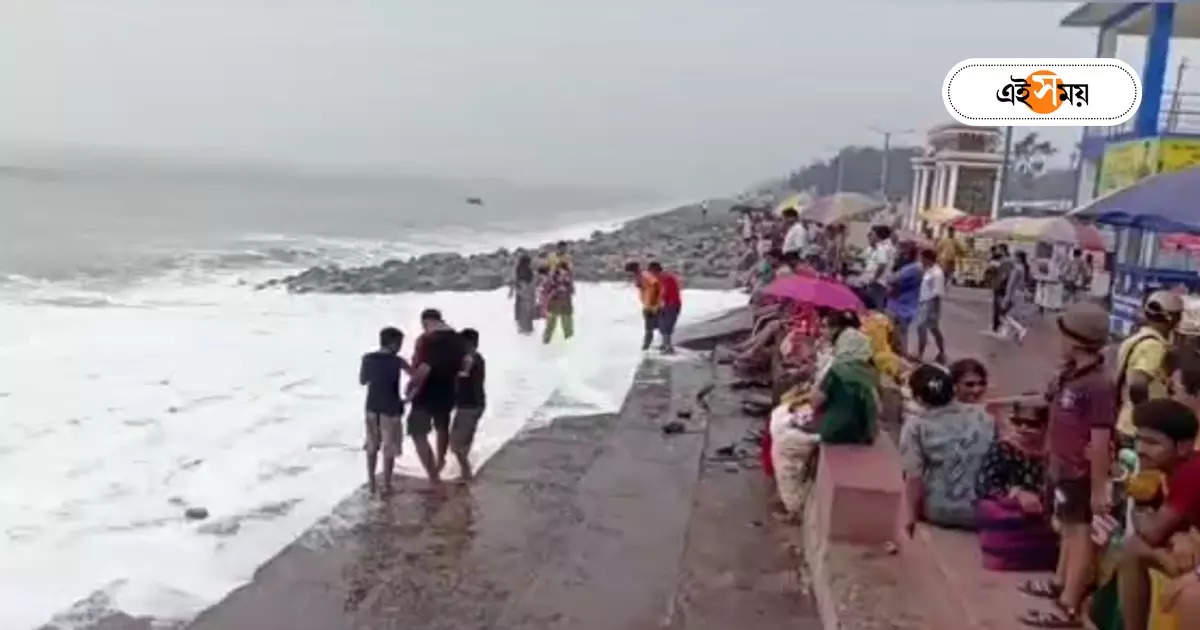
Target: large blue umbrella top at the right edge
1159,203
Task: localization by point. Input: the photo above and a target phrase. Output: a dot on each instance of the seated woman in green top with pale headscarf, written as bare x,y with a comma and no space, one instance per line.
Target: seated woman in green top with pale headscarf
845,400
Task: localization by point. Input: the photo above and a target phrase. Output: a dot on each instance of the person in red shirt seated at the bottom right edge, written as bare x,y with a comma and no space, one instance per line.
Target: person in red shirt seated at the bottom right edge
1166,442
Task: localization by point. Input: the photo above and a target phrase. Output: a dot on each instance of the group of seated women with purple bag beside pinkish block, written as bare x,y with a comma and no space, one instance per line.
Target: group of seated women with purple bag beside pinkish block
961,472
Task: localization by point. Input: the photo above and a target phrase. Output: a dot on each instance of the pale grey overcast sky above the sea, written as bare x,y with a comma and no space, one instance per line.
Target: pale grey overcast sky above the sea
674,95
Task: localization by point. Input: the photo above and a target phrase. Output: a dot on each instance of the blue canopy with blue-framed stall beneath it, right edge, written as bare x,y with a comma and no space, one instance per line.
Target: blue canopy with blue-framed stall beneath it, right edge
1142,213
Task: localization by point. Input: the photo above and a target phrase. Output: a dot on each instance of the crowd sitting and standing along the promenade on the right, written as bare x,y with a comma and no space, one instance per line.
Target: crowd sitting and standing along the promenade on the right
1096,482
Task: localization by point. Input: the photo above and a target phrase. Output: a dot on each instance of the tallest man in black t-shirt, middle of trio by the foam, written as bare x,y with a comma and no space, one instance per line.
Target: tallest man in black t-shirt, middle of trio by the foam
433,391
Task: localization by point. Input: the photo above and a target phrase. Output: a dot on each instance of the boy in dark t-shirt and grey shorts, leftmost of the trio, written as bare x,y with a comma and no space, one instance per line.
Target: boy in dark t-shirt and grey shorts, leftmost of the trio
380,373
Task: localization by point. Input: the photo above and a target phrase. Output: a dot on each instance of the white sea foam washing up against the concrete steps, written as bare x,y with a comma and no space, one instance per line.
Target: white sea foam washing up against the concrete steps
123,409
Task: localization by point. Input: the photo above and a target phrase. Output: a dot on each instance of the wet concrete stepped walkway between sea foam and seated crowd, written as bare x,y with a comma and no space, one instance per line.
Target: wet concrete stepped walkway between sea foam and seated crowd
591,524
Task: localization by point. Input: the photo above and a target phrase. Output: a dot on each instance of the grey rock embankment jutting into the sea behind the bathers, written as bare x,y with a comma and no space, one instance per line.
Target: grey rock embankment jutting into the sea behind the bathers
704,250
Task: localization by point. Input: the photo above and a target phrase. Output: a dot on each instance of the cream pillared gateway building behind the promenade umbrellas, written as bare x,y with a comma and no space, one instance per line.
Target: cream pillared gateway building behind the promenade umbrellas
962,169
